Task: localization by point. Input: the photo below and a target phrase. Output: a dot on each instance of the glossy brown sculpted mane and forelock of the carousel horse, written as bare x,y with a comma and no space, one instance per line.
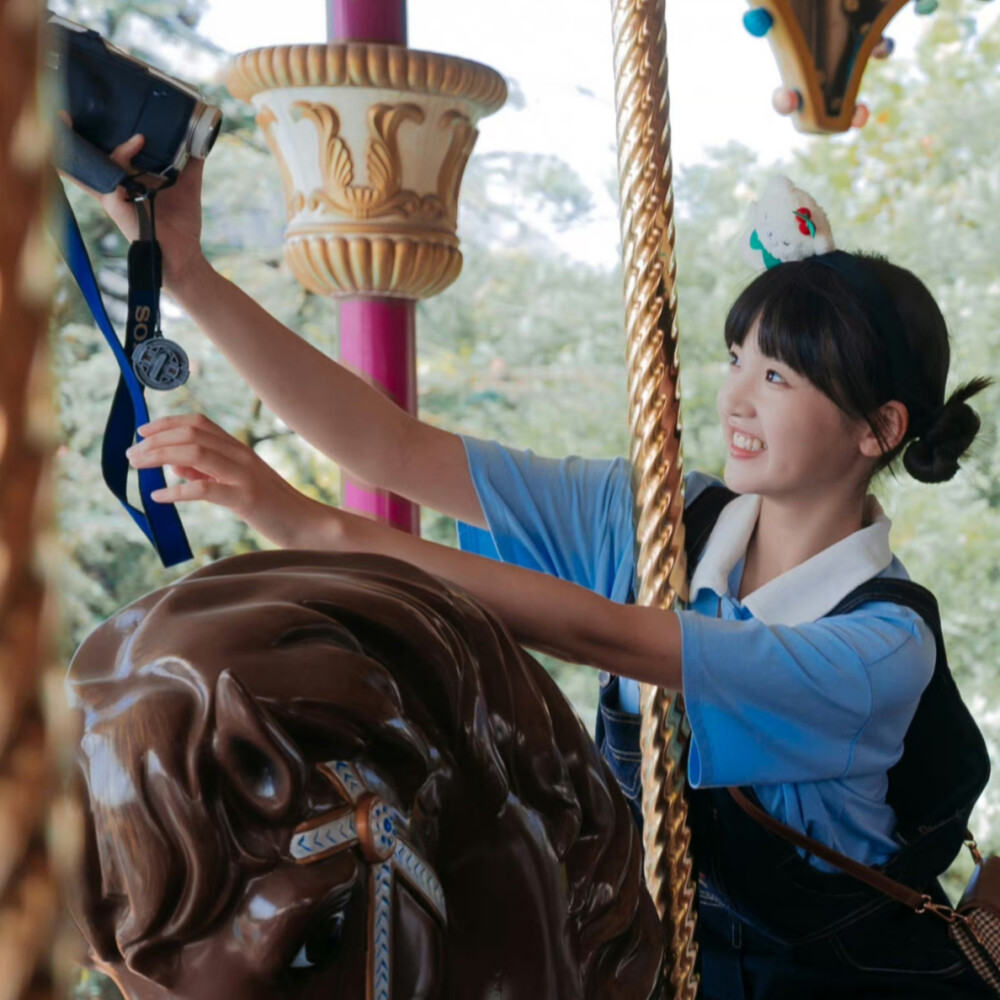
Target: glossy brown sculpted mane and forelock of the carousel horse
340,657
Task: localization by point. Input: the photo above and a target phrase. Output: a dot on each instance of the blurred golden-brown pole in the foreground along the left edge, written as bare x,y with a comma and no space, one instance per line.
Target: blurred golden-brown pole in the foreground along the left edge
27,886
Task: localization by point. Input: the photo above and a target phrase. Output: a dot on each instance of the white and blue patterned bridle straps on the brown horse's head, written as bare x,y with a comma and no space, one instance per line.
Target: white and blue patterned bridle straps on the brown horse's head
372,825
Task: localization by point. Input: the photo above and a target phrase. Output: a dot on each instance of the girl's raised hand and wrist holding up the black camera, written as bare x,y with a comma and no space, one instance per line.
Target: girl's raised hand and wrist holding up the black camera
178,212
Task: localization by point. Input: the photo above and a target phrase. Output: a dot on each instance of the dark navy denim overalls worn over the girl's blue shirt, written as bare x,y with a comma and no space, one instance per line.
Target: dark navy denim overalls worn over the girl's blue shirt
772,926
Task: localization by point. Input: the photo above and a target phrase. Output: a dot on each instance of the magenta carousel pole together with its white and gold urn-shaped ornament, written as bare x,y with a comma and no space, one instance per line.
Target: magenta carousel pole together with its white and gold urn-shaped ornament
372,139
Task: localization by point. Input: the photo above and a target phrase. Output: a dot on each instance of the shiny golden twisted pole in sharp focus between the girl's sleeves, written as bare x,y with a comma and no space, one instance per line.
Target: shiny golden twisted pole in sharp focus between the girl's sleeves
649,270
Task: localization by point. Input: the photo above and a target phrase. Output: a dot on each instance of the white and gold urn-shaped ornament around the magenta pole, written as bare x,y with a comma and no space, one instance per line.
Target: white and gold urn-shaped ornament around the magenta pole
372,141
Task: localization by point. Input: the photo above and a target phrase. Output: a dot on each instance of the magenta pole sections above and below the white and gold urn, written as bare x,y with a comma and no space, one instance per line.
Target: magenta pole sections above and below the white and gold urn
378,336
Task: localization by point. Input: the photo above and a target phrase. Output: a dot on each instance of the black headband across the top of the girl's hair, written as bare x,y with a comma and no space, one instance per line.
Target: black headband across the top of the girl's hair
888,325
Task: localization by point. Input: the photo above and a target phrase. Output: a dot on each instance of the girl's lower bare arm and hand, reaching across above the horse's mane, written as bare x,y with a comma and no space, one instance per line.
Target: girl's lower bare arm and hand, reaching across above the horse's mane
542,611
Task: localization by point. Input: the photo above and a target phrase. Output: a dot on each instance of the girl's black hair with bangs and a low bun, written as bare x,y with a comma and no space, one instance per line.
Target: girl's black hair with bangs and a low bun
812,319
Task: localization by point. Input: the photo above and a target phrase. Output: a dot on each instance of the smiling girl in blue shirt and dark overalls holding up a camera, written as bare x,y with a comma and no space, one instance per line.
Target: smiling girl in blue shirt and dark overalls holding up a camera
800,684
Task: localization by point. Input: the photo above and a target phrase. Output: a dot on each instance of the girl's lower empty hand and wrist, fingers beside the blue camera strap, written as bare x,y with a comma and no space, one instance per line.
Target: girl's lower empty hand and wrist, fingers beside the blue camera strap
224,471
